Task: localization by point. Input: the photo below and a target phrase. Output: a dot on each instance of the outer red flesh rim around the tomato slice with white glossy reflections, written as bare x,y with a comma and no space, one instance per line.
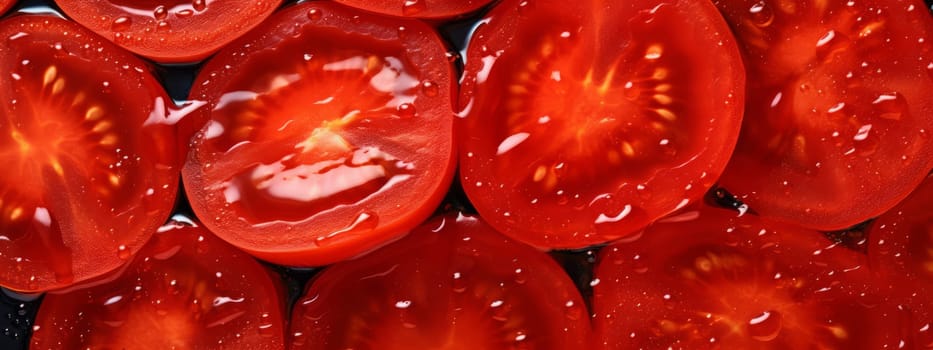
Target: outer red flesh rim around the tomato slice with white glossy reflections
315,241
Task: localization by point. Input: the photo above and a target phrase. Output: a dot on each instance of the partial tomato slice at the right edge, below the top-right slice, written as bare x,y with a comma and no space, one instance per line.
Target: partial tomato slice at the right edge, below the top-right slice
900,250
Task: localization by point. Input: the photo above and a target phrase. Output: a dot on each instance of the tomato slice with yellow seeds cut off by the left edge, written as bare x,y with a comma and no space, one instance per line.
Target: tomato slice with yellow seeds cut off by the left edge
91,160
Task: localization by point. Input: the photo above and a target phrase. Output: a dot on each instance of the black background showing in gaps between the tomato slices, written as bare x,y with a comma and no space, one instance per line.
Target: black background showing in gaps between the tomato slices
17,312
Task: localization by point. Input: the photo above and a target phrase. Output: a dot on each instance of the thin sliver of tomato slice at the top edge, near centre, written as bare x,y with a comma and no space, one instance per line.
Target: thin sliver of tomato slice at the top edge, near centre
428,9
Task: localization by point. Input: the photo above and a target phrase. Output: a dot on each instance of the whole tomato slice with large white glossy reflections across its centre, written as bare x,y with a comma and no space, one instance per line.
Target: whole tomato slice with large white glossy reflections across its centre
332,135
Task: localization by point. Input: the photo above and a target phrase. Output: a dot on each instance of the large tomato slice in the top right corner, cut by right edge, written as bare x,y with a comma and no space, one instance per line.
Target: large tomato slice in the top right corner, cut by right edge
838,119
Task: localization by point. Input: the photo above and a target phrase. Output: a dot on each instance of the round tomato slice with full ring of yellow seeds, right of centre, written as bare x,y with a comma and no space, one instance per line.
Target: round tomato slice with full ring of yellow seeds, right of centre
584,121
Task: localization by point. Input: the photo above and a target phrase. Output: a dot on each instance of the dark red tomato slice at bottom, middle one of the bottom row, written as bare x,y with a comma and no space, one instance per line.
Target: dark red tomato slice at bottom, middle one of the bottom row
453,283
